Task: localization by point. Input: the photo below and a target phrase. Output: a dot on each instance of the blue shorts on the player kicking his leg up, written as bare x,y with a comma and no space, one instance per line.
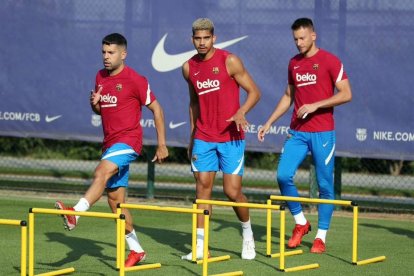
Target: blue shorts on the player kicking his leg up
121,155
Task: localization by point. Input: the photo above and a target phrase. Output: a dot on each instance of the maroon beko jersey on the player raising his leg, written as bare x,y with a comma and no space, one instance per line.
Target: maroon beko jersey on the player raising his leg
122,98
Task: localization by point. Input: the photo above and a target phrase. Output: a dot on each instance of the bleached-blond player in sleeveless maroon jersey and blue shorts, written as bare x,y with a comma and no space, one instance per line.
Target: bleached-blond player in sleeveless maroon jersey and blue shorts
217,122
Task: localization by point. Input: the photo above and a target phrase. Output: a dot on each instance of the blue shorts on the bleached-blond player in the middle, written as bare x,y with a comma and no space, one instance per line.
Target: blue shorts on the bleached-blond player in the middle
212,157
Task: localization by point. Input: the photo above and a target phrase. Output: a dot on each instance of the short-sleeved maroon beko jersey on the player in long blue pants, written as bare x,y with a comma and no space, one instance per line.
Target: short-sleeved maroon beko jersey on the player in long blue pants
314,79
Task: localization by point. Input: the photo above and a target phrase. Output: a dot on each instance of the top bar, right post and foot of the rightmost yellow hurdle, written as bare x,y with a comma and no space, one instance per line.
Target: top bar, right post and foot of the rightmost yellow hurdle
354,223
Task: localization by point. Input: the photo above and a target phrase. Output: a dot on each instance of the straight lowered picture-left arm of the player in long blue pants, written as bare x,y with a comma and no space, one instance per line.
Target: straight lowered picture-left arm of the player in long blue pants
281,108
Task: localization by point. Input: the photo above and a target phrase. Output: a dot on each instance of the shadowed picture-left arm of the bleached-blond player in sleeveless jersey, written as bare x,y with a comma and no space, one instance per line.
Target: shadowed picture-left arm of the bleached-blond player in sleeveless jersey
194,109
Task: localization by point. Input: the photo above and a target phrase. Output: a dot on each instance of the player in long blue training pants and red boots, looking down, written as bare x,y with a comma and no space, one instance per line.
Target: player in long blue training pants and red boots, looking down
313,75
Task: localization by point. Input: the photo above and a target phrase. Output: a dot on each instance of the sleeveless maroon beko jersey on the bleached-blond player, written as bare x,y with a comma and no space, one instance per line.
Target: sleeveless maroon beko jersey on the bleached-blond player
218,96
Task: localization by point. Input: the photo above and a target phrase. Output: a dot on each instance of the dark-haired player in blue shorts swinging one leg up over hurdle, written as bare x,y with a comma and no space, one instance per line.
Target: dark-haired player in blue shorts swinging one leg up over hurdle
119,95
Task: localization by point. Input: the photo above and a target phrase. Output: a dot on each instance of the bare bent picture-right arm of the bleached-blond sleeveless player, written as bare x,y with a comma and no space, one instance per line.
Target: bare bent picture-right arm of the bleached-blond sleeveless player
236,69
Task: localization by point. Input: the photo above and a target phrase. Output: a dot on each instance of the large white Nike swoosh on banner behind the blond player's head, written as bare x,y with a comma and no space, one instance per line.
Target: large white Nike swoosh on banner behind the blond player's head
164,62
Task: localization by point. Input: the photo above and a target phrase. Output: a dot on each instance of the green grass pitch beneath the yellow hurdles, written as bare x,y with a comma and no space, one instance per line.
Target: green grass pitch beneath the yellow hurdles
90,248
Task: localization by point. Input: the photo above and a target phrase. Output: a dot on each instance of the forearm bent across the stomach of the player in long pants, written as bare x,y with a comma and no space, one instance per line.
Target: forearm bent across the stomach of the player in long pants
343,95
